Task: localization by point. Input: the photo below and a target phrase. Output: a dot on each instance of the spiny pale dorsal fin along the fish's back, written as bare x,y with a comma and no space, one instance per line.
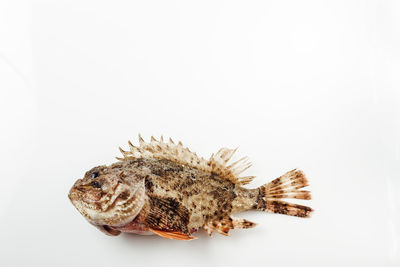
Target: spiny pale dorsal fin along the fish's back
217,164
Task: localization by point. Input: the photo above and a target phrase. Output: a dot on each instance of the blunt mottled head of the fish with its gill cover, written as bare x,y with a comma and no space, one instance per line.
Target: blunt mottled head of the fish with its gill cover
109,196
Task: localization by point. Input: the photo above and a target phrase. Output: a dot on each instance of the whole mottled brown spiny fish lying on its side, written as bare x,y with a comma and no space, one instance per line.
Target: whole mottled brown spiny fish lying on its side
161,187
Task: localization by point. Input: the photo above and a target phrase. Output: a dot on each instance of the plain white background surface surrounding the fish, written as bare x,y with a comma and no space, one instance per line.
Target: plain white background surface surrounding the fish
307,84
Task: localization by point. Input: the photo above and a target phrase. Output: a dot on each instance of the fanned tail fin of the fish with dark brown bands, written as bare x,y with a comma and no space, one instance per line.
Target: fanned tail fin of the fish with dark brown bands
285,186
